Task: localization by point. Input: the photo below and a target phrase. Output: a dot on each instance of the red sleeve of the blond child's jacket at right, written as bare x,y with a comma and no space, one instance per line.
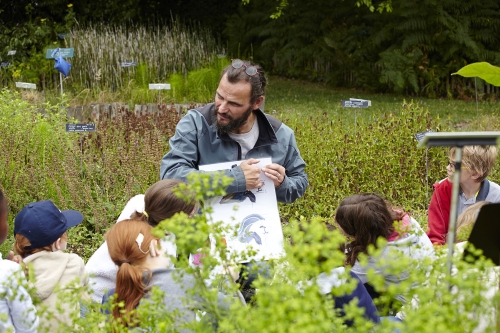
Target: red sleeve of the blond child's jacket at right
439,212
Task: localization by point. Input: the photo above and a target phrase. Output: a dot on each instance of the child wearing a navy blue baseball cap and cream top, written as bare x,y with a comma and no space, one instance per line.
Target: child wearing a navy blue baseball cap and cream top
40,239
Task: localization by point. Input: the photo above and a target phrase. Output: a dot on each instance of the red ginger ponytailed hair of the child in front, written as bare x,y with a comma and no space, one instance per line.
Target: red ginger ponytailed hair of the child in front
130,259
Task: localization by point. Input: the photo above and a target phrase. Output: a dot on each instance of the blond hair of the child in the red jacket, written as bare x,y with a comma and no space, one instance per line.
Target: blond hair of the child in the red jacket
478,159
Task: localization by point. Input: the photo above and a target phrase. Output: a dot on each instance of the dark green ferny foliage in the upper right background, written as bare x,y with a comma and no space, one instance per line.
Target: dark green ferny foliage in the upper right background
413,48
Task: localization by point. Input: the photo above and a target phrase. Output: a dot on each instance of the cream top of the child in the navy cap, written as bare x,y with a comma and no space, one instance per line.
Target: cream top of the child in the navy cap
53,272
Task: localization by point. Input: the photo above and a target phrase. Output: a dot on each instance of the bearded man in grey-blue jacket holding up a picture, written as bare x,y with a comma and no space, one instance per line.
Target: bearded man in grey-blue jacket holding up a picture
233,129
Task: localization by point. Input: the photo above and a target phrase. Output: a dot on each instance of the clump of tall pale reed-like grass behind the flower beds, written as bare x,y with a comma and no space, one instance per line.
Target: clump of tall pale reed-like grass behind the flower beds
159,52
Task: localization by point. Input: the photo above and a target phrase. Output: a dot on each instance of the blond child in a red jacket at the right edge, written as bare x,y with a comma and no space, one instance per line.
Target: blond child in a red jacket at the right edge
477,162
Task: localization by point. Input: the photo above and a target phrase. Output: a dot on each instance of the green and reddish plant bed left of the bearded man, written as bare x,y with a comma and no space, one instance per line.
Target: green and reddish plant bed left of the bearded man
95,173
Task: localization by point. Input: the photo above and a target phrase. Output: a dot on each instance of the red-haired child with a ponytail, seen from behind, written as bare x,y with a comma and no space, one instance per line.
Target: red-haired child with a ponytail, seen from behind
142,264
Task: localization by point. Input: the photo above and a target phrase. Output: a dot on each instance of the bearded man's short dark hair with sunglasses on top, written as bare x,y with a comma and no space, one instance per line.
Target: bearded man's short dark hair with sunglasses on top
257,81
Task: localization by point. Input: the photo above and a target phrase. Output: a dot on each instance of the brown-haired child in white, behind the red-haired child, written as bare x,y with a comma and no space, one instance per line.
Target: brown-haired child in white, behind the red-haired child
157,204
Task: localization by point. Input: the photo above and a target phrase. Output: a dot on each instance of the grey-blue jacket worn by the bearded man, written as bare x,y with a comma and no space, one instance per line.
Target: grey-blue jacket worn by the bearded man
196,142
